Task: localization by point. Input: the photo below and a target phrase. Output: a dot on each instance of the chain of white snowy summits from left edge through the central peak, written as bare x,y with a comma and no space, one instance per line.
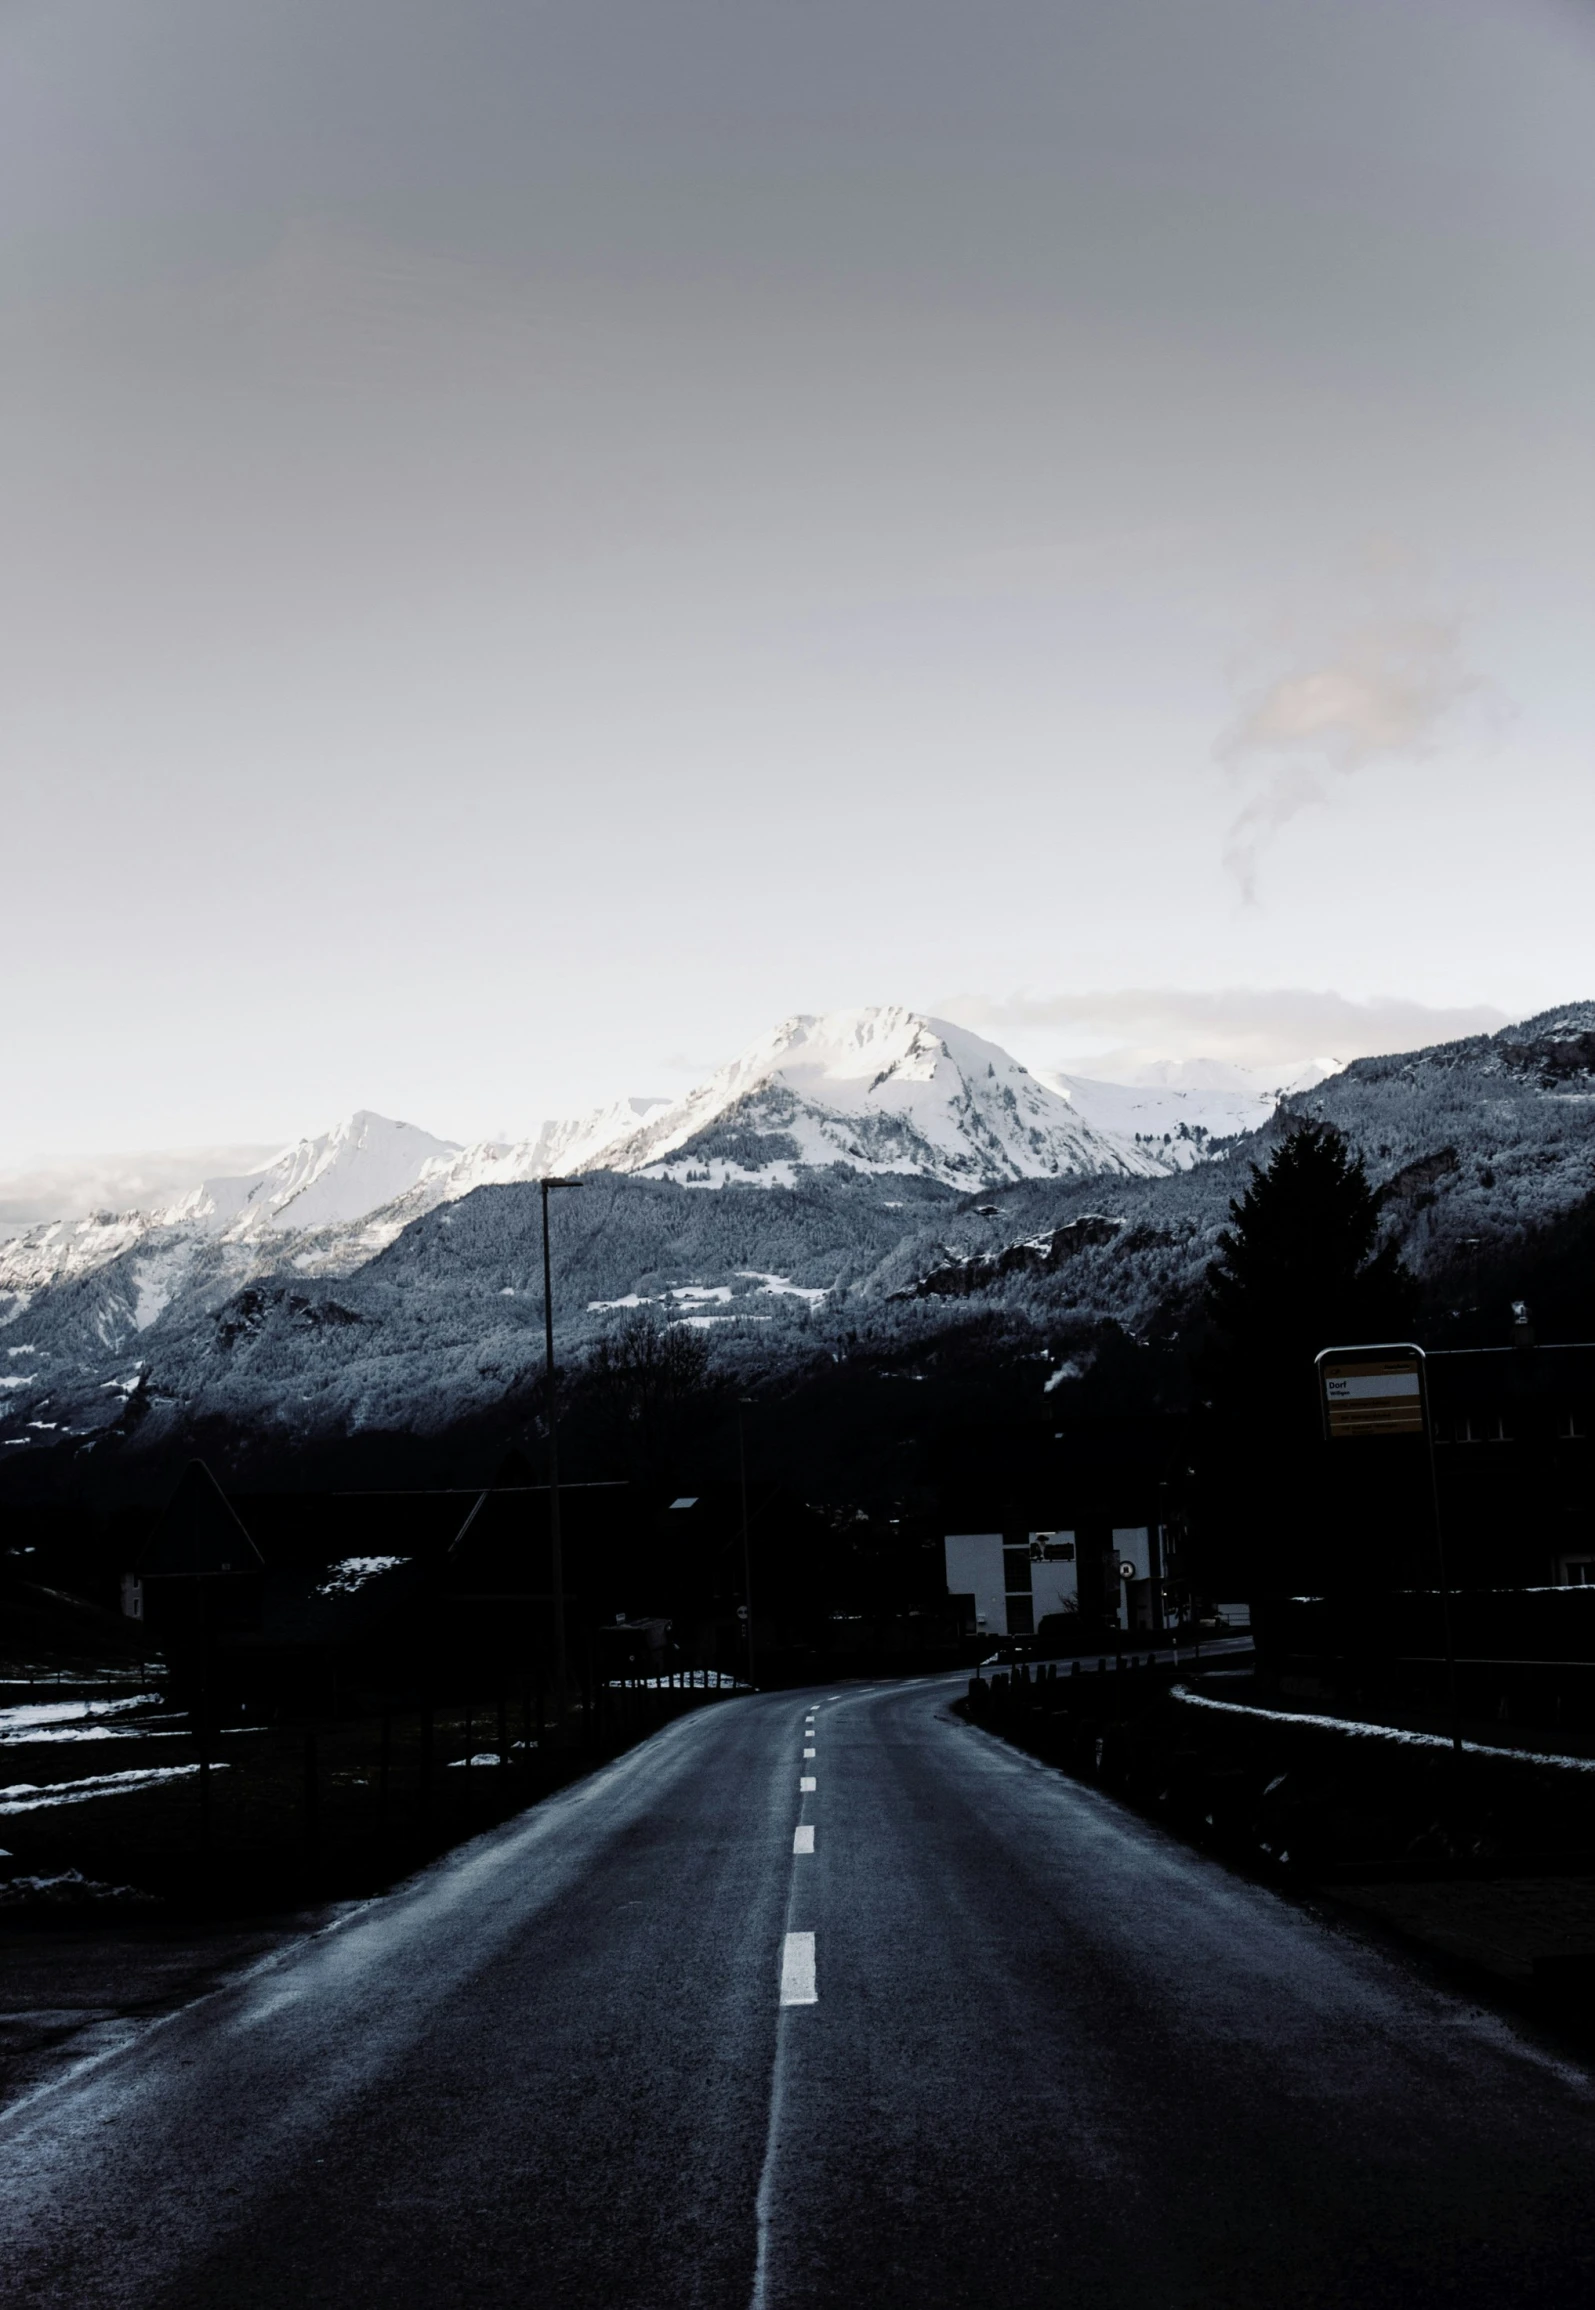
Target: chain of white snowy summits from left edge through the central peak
875,1089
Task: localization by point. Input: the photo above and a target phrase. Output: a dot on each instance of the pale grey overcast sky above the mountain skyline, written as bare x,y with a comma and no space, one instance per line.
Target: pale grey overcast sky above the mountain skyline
547,537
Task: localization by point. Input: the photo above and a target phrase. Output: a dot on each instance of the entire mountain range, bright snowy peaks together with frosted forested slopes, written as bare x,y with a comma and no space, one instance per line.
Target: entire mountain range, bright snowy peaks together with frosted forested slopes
863,1138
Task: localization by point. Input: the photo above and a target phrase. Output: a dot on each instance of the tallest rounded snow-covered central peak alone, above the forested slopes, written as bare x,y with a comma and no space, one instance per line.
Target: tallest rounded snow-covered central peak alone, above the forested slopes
884,1091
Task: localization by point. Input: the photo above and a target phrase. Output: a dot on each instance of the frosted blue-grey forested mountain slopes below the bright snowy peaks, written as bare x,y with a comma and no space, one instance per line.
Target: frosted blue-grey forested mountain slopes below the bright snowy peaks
413,1322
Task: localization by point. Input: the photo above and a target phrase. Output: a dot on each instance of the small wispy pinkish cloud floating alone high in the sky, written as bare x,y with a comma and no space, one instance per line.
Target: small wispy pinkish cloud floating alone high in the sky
1383,692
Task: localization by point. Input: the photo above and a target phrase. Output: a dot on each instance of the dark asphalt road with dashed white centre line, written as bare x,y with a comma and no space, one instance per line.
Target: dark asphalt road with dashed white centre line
1039,2055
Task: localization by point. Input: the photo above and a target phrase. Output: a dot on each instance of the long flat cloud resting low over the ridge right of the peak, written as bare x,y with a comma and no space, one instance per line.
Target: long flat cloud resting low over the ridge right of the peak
1242,1024
